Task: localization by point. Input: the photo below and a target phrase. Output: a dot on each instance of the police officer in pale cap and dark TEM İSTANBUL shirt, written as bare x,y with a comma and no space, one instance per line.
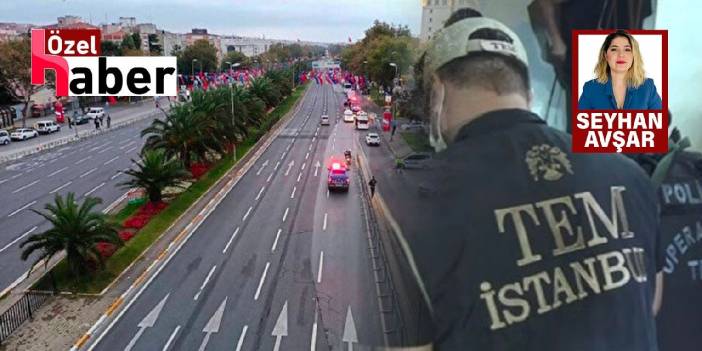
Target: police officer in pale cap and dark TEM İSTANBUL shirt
518,243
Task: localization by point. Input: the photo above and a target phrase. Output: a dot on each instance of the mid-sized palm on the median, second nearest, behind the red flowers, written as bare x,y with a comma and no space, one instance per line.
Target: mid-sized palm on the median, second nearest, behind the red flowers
155,171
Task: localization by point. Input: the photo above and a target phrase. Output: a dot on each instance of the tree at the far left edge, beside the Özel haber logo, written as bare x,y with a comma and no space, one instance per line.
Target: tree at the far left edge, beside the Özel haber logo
16,72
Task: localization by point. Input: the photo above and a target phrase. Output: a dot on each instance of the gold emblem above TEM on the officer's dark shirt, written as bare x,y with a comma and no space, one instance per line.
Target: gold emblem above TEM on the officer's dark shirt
547,162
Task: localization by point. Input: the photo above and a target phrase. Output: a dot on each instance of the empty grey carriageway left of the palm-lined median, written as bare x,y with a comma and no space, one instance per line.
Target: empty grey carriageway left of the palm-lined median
90,167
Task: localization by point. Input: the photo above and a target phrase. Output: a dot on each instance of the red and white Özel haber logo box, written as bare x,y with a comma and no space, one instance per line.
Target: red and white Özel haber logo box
74,55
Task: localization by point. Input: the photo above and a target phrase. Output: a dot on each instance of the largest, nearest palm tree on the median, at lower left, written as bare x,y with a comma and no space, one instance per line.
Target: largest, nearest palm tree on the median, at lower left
76,229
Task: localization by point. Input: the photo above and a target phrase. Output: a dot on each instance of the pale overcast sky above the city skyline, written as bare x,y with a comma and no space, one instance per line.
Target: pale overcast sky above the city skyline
314,20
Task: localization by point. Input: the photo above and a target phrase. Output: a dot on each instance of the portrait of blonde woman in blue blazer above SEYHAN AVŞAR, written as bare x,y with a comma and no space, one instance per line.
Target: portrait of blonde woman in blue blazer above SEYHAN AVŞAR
620,80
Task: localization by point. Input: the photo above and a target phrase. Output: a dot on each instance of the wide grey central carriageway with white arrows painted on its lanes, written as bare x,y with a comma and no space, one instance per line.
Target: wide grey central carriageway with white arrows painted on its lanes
279,264
